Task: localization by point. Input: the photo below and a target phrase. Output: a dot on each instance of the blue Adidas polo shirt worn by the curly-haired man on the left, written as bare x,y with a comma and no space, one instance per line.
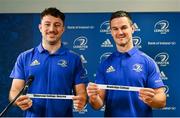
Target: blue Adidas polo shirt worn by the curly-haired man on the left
56,73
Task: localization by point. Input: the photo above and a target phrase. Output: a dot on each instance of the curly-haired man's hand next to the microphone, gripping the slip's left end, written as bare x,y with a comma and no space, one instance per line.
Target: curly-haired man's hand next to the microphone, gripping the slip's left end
24,102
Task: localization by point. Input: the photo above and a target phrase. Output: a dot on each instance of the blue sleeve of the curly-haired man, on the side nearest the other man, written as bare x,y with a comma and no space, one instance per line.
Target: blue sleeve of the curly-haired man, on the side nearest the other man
80,73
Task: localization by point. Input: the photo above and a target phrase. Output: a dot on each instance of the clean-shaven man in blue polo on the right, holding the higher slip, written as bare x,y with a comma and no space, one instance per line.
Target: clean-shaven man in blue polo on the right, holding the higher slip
127,67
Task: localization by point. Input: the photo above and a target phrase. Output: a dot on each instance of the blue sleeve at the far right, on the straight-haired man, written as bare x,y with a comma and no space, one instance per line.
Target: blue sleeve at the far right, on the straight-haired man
154,78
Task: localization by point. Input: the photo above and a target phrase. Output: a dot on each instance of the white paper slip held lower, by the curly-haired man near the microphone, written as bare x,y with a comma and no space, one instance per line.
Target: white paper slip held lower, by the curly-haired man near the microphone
50,96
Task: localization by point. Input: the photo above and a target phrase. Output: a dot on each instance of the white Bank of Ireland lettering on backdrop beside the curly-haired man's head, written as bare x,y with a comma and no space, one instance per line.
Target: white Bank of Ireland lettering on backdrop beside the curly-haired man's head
76,27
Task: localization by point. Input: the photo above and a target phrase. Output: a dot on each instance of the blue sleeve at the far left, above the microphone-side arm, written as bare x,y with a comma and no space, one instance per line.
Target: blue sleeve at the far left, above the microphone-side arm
18,69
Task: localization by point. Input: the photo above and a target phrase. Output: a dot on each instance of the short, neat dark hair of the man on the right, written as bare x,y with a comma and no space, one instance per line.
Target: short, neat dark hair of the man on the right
121,13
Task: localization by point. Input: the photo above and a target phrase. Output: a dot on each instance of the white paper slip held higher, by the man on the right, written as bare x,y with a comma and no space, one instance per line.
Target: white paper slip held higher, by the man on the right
116,87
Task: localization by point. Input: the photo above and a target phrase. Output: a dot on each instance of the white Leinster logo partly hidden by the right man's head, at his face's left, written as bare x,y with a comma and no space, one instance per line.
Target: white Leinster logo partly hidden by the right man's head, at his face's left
105,27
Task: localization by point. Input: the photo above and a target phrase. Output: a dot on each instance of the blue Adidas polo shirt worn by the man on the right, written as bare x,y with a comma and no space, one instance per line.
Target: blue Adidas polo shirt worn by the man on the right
133,68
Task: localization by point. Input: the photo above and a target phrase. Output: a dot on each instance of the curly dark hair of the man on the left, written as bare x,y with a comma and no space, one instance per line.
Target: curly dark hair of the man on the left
53,12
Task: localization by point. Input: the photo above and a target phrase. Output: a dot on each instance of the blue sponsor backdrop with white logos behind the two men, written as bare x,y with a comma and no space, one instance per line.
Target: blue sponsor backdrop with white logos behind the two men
89,35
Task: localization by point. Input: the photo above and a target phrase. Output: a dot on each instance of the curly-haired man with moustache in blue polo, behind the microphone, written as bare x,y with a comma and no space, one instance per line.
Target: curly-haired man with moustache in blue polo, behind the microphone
56,69
